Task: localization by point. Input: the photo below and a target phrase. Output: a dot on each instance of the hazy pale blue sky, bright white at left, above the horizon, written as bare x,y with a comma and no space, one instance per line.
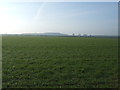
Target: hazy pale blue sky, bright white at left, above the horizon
64,17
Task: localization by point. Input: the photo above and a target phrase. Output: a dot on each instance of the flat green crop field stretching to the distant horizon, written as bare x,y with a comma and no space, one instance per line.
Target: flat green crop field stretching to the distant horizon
59,62
